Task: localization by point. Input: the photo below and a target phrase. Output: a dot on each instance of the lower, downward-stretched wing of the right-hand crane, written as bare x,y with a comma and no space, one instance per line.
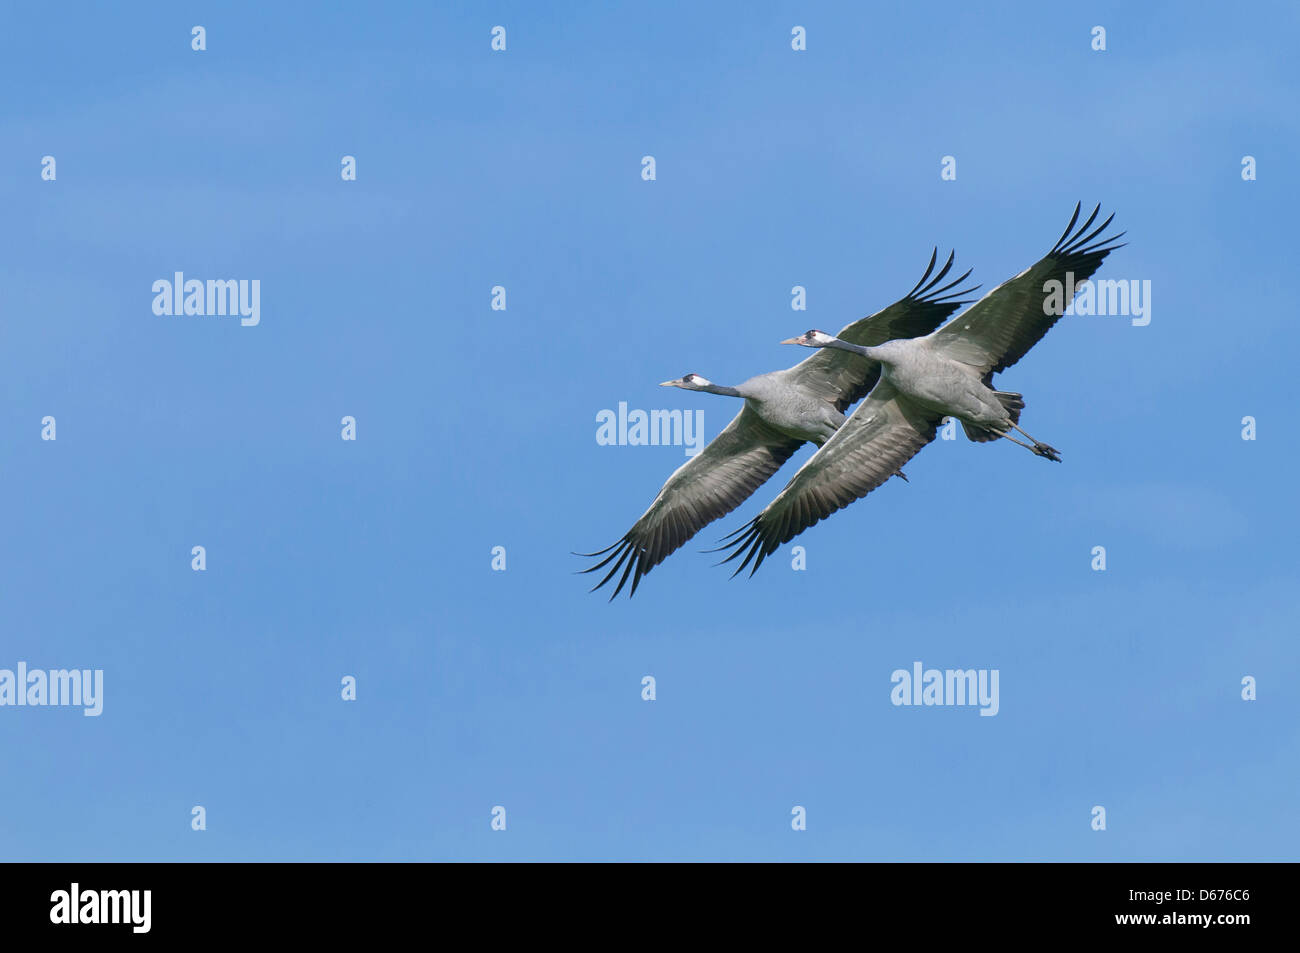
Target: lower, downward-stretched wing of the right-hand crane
881,437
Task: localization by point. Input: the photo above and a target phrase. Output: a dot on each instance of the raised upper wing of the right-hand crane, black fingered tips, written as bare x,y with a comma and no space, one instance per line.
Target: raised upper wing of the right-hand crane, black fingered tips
1003,326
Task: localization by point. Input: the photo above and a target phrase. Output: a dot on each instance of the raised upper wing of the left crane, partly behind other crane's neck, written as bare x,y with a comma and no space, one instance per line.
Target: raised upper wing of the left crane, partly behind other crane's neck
844,378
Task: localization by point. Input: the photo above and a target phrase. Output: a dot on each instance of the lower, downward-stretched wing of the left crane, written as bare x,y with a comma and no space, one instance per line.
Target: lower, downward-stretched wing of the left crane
710,486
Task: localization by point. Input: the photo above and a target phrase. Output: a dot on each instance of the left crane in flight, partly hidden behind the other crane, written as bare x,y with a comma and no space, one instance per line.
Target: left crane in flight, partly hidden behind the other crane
783,410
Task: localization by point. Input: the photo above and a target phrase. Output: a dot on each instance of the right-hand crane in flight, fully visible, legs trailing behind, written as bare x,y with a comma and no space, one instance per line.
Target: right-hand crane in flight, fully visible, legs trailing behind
924,380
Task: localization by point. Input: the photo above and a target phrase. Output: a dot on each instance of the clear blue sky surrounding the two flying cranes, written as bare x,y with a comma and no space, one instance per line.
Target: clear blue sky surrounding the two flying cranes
476,428
